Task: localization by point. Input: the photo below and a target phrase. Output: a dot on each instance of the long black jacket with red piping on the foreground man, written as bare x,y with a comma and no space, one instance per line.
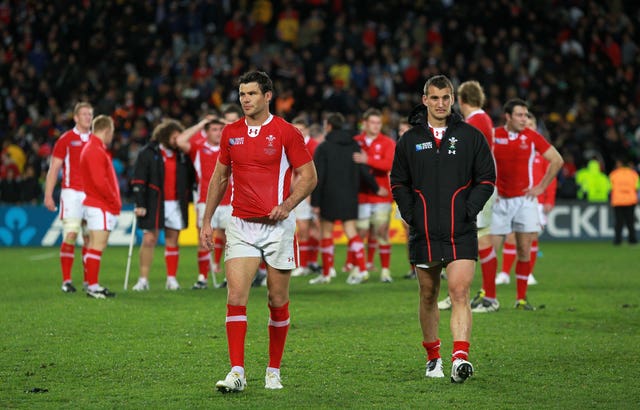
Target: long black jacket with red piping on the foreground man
439,191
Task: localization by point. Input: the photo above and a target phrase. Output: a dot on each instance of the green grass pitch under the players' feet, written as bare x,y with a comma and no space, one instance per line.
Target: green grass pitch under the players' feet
349,346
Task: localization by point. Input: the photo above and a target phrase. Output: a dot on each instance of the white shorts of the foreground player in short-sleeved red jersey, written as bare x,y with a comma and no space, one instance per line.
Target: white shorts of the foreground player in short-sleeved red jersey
275,243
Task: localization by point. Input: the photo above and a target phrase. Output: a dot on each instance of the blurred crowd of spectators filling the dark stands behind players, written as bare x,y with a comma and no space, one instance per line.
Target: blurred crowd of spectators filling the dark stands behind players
576,62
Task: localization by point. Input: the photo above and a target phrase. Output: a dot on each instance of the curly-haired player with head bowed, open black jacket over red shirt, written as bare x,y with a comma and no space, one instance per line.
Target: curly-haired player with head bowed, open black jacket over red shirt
162,180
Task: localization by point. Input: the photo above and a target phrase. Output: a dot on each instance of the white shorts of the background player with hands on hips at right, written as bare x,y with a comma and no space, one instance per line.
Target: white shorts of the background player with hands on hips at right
517,214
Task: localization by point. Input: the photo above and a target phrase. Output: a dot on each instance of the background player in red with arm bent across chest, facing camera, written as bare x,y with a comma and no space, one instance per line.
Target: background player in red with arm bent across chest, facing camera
374,211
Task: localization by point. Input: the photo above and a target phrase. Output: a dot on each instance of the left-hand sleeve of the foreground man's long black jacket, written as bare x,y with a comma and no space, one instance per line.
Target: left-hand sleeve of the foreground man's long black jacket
402,182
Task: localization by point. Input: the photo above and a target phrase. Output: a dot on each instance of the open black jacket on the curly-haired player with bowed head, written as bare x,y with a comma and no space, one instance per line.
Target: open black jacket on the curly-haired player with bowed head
148,185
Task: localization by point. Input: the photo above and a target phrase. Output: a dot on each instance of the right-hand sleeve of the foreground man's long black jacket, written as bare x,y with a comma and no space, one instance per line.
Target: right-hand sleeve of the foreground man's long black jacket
484,176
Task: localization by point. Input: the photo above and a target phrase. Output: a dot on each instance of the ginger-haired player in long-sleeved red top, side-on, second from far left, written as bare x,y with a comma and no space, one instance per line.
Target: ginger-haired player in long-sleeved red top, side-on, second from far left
102,201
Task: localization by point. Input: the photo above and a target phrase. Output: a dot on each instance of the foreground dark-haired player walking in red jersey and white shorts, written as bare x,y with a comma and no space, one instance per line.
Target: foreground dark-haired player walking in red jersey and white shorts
262,151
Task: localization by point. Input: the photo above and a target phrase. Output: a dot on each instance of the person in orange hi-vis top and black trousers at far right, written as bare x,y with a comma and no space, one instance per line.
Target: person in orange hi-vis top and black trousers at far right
624,199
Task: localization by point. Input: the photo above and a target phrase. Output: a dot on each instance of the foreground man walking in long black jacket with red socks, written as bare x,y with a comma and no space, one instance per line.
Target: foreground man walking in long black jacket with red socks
442,175
